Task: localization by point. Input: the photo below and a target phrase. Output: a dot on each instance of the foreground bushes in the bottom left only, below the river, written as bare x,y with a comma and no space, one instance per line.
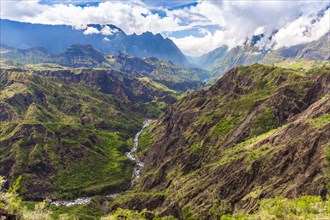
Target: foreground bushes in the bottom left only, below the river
11,204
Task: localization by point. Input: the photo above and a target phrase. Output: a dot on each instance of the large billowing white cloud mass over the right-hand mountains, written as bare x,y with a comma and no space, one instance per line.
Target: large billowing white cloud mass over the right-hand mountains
240,20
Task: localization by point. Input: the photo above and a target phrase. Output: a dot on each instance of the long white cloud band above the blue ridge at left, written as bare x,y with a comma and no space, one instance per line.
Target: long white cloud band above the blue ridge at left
131,16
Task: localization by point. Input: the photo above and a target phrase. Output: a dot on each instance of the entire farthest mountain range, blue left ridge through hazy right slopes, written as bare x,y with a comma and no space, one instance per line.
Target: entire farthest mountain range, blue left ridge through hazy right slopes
29,39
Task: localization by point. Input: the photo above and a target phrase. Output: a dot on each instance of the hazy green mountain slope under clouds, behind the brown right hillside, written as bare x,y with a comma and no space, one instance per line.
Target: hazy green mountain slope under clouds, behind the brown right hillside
221,59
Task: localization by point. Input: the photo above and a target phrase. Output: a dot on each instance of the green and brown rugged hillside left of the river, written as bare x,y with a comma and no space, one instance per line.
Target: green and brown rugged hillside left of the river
64,133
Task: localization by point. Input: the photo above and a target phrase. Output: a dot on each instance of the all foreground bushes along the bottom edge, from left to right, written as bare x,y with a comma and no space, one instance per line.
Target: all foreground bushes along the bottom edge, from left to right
305,207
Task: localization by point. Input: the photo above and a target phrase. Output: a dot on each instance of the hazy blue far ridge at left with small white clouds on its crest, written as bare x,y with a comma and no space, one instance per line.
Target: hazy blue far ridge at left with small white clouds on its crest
105,38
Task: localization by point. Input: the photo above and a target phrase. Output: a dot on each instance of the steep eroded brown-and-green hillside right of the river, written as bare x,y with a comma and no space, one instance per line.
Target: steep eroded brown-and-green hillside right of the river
259,132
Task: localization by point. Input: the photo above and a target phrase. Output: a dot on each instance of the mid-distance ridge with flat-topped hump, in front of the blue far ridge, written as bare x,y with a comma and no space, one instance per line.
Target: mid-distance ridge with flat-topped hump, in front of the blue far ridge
167,73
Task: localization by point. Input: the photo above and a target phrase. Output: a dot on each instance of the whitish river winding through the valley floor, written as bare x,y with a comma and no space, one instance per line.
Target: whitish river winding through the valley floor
136,172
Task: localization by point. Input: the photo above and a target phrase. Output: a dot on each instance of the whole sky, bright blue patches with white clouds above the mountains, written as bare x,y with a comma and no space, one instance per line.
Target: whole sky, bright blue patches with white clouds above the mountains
196,27
